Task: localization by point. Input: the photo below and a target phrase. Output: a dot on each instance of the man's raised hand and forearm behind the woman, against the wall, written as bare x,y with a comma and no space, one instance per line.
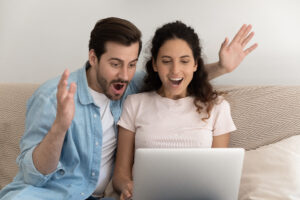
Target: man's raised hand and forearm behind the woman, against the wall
232,54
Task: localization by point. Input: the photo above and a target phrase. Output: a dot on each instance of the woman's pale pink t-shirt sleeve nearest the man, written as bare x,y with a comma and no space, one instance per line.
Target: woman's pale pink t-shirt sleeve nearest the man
127,119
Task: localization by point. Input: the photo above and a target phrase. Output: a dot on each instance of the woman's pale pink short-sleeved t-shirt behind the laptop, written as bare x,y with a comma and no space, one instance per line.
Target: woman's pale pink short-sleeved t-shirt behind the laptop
160,122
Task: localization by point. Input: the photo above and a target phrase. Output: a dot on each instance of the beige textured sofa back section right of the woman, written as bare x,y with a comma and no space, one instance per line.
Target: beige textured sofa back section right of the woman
263,114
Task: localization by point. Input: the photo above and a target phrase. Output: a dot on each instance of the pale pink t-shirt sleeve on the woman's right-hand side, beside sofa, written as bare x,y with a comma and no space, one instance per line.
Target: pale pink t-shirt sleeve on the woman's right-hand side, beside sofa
223,120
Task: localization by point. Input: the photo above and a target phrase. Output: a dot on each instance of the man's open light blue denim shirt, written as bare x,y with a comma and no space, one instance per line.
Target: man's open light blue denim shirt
77,172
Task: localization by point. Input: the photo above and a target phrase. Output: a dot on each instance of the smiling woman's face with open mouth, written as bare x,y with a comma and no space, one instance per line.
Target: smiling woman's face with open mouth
175,65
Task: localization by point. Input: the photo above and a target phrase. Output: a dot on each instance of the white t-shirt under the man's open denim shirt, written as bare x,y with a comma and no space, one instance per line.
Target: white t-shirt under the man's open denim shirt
109,141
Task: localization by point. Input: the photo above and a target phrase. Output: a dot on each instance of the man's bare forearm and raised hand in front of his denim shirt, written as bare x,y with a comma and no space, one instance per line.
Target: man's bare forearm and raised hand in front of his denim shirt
46,155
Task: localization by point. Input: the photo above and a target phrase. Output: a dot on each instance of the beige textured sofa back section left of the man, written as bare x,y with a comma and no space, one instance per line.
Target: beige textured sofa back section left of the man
13,98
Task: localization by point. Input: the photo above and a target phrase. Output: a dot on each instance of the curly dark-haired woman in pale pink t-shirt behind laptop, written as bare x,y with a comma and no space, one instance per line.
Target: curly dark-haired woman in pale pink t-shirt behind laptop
178,108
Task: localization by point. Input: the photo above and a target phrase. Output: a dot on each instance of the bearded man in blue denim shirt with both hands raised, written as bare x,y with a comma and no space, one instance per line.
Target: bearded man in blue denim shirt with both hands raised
67,150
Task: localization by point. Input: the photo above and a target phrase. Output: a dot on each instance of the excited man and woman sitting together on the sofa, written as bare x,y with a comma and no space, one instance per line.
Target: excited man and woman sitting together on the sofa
75,130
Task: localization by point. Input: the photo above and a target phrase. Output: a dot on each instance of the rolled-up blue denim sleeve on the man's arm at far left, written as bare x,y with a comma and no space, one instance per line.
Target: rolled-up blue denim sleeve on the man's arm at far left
40,116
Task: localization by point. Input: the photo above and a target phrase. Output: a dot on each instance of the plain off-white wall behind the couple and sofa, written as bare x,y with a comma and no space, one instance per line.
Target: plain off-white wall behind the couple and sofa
38,39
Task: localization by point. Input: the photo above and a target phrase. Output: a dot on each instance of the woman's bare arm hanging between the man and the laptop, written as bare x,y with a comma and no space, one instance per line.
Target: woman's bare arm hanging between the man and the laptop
122,178
